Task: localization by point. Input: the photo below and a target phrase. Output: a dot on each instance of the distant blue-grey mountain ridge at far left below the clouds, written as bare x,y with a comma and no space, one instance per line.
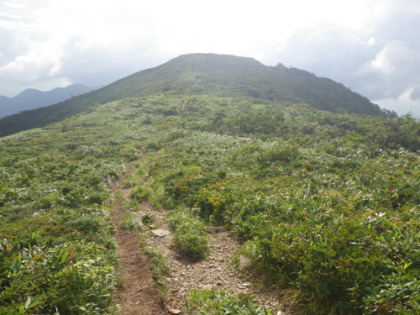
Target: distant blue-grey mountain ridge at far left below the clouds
31,99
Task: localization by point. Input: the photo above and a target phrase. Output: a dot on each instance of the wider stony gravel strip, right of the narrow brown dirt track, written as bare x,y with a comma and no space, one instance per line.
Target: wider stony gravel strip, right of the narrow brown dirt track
214,272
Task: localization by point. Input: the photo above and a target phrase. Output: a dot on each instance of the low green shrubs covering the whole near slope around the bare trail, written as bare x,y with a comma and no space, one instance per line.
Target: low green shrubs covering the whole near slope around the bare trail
325,204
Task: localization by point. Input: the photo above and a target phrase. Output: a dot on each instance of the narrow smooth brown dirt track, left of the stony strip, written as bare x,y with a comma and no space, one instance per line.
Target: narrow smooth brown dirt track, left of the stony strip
138,295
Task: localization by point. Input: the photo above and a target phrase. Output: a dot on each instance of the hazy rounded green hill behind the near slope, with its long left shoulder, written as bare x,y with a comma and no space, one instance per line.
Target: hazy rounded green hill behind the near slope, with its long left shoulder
208,74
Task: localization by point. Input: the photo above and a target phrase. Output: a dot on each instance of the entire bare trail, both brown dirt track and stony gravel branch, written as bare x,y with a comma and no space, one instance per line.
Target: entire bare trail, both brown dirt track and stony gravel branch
139,296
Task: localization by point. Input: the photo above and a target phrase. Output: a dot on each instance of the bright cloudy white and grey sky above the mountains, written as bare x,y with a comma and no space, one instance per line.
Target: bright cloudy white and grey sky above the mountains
371,46
